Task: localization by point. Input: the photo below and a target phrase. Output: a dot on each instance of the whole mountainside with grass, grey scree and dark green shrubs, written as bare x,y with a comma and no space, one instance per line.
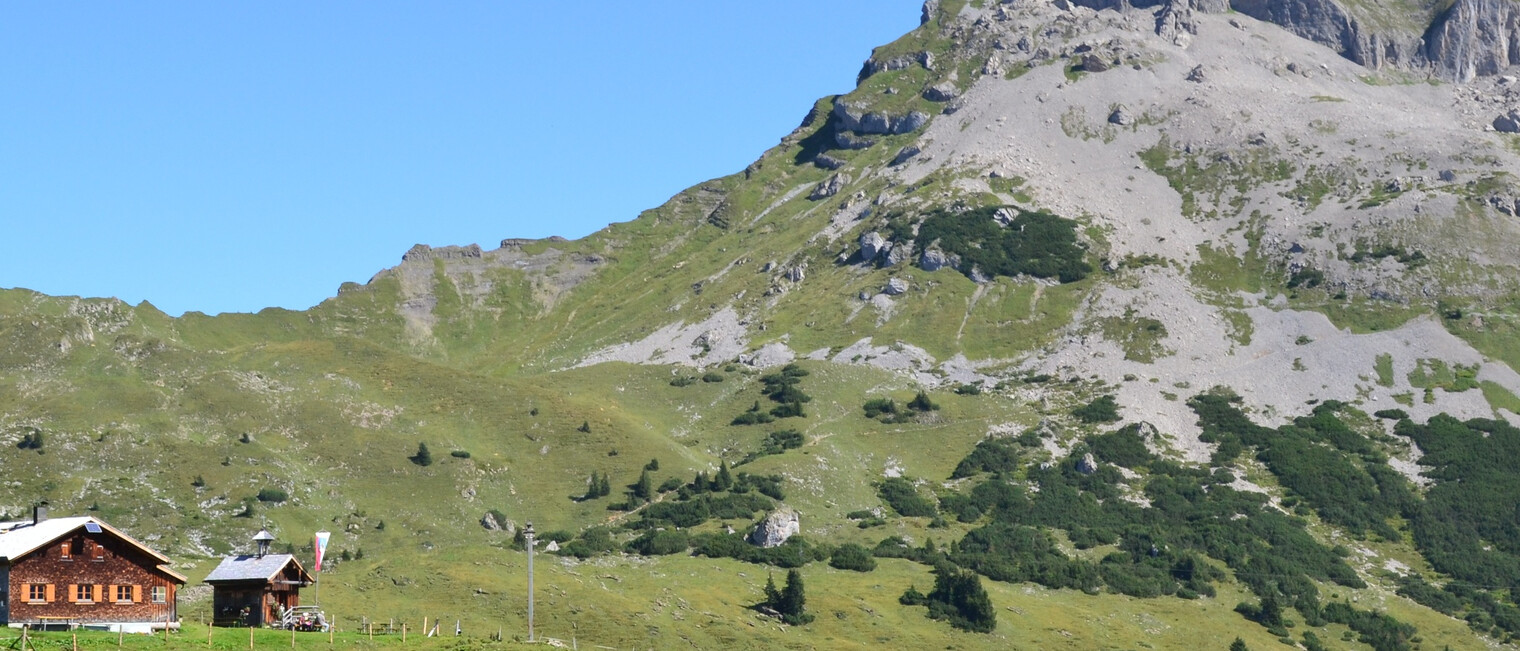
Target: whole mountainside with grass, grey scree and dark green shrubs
1138,311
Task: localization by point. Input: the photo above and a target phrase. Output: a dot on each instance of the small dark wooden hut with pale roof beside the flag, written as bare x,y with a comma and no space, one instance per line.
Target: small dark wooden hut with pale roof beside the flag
253,589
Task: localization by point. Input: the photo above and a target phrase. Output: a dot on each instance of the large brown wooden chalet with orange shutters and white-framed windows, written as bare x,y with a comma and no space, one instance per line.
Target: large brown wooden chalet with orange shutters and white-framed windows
83,573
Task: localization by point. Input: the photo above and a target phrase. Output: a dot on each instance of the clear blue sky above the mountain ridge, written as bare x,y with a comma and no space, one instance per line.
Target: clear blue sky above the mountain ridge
235,156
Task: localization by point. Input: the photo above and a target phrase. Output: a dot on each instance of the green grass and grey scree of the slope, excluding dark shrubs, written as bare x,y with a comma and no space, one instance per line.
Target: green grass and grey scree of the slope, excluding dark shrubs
551,361
